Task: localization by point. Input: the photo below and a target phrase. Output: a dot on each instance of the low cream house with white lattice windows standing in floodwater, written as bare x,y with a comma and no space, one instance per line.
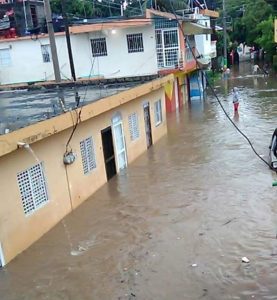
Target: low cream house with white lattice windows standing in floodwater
38,189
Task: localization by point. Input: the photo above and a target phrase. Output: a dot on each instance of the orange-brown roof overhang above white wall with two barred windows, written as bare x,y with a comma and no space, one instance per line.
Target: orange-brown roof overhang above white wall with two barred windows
109,25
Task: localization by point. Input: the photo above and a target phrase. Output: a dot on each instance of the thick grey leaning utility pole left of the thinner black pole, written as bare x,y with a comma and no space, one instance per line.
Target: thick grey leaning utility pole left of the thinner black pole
51,34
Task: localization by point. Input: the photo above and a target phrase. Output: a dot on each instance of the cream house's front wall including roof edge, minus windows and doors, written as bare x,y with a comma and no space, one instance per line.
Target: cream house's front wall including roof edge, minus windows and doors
67,187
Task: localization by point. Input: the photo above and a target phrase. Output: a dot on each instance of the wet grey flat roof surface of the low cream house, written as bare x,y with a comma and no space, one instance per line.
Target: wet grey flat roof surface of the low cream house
21,108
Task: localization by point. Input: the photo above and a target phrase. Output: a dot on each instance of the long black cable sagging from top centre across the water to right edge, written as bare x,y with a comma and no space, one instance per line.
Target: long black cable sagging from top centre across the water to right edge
215,95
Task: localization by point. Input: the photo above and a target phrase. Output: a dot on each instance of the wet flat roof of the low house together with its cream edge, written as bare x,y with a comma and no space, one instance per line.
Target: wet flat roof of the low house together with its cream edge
44,121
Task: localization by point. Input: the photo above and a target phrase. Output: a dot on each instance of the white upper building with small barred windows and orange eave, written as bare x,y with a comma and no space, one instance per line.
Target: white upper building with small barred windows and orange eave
108,50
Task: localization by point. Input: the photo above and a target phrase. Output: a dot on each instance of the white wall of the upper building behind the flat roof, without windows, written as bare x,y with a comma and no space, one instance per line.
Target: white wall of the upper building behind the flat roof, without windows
27,64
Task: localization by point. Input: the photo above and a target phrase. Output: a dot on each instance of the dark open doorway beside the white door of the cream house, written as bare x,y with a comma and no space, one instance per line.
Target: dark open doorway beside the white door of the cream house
108,151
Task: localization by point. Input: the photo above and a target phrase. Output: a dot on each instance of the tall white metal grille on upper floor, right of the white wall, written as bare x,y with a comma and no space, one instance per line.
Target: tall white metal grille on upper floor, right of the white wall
167,43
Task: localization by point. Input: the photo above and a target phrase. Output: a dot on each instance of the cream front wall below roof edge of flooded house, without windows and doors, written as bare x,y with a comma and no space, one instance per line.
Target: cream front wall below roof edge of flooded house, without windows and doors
18,231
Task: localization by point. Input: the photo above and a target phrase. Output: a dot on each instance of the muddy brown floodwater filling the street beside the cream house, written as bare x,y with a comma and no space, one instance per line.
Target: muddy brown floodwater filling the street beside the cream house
199,196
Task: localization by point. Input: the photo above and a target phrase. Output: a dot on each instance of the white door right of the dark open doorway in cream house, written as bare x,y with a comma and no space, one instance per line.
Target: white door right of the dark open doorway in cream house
119,141
